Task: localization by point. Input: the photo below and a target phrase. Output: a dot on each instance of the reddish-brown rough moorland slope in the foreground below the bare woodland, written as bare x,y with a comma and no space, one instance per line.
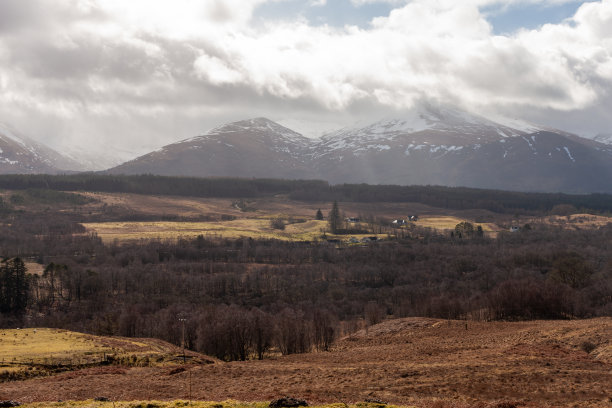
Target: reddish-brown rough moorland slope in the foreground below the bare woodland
425,362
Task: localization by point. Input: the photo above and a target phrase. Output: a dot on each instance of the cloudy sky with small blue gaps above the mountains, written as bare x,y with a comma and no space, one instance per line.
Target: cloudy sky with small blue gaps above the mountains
120,78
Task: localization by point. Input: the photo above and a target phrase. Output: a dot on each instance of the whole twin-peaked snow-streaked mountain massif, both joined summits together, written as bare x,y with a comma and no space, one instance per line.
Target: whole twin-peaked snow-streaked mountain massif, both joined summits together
431,145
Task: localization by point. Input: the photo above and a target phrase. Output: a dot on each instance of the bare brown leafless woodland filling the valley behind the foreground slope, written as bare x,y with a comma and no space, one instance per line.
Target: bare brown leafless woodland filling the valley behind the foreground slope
243,298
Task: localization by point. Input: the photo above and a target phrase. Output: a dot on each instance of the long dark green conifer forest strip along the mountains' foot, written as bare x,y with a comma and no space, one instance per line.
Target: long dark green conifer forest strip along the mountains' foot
314,190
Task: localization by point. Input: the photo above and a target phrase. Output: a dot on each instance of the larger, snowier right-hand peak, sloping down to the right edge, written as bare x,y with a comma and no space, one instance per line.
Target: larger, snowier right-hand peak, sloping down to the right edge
446,146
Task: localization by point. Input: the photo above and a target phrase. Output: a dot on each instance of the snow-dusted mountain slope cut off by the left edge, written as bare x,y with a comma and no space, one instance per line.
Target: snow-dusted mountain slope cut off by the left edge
20,154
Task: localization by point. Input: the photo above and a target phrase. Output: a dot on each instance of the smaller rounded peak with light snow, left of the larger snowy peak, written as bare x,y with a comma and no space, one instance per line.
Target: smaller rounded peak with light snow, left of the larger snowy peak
249,148
